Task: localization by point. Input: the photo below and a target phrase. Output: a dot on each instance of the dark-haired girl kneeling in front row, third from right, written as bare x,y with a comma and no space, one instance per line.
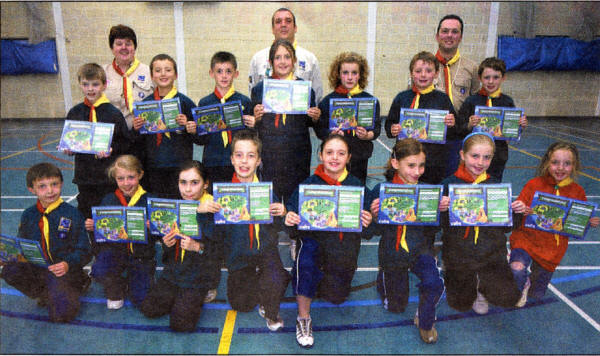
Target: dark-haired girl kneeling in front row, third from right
403,247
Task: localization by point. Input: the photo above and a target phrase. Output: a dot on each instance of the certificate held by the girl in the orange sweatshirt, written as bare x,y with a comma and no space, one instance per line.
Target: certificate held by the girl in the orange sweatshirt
561,215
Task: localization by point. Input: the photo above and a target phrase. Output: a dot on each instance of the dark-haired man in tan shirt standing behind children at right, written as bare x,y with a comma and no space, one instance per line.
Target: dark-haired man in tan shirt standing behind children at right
457,76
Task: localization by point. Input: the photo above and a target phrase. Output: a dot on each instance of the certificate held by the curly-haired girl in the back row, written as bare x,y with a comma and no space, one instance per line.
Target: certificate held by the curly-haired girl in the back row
350,113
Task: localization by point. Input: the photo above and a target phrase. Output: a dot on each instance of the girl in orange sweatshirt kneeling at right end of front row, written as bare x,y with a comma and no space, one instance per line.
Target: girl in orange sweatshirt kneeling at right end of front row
540,250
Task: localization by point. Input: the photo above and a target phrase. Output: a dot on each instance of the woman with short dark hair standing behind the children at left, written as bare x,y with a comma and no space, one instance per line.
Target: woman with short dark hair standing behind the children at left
128,80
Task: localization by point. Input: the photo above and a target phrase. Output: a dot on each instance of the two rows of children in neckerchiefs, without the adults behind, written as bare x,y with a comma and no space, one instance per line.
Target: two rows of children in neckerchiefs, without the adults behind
476,269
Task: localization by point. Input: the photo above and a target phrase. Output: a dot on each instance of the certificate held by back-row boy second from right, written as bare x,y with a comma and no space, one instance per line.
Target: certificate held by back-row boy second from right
425,125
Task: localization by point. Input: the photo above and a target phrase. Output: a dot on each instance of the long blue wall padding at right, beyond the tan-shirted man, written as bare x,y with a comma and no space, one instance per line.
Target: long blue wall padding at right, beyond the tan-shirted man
549,53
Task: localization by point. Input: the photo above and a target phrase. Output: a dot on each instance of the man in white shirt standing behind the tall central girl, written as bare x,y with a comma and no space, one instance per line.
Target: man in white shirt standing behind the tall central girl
283,24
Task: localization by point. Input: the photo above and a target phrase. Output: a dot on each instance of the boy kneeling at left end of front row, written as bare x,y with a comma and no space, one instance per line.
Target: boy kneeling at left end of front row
60,230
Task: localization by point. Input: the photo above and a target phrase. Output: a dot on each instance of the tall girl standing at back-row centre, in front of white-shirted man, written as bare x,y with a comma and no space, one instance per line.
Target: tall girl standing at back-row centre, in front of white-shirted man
285,138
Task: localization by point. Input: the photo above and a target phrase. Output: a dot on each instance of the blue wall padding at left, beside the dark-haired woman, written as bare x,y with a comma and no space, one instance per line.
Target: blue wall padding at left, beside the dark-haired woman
20,57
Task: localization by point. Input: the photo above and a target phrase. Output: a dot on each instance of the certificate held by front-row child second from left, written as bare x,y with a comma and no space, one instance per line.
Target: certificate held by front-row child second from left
119,224
